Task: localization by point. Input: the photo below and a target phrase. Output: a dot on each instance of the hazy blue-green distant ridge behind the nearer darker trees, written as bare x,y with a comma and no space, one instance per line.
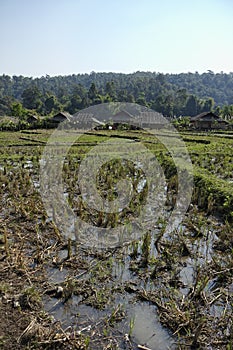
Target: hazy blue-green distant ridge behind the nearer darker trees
218,86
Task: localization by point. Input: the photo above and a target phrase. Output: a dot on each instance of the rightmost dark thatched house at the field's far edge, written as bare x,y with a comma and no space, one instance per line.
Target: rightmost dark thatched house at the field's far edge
208,121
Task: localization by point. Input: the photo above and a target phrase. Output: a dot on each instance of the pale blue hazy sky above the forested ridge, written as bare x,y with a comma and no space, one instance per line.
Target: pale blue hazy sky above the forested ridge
61,37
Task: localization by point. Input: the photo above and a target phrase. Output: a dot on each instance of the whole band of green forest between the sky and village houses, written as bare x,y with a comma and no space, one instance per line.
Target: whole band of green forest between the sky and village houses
173,95
